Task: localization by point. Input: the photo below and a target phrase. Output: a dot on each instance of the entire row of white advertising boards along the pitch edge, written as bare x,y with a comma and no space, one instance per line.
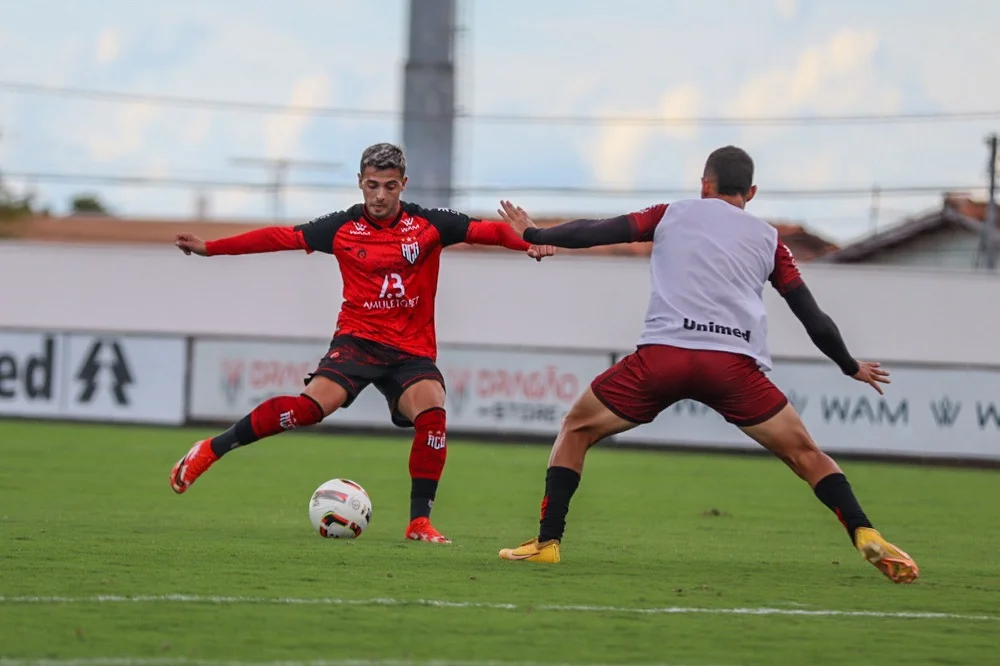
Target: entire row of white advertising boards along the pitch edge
929,411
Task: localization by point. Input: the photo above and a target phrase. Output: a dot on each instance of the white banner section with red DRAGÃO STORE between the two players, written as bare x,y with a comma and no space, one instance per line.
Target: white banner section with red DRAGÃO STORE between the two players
515,392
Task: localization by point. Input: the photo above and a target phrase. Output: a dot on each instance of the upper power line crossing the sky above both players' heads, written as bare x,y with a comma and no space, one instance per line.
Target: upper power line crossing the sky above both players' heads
495,119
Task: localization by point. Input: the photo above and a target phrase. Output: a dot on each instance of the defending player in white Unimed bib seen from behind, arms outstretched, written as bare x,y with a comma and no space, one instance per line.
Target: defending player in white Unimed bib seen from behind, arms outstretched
705,339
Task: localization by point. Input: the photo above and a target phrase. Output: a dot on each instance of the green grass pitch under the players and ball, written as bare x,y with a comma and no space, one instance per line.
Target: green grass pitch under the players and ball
100,560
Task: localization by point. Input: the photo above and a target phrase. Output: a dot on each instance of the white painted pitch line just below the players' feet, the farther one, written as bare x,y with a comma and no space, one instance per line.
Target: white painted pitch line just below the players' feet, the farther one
667,610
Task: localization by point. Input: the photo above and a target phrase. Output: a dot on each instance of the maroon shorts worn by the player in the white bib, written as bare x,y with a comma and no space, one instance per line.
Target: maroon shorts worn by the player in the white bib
653,377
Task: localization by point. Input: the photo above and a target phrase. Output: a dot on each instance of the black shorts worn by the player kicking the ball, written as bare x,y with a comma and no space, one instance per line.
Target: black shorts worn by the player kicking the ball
354,363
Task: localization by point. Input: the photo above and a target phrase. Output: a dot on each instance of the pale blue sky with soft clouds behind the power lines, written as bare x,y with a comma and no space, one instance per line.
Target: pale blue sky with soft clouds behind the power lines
573,57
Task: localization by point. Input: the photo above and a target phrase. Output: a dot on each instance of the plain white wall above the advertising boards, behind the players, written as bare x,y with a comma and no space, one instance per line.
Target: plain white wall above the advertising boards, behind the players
890,314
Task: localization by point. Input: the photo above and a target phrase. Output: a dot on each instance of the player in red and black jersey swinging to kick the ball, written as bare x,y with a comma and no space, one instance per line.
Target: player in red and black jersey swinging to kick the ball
389,253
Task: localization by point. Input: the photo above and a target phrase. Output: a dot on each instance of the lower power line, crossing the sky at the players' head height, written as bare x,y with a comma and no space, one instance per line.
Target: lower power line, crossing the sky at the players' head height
509,190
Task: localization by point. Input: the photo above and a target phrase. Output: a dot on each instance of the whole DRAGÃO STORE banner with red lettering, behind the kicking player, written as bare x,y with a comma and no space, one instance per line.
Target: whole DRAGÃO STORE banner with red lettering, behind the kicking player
488,390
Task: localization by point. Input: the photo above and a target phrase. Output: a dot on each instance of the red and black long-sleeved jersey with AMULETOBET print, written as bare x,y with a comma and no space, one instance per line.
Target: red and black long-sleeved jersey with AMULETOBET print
389,268
